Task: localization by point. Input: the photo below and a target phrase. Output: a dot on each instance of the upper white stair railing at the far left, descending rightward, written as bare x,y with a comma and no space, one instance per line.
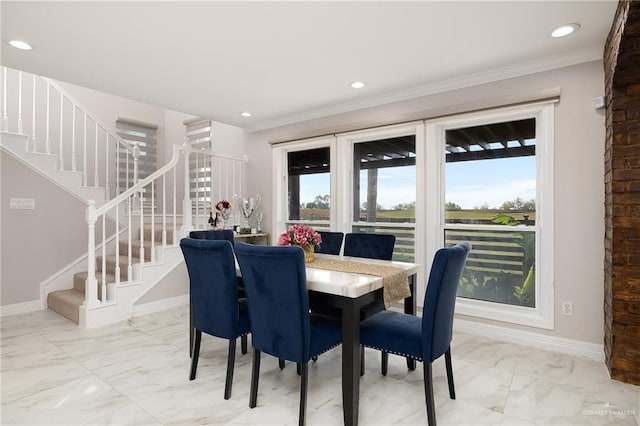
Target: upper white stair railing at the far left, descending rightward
59,125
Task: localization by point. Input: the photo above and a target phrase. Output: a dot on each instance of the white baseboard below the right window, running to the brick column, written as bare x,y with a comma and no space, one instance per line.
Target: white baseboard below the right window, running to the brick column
541,341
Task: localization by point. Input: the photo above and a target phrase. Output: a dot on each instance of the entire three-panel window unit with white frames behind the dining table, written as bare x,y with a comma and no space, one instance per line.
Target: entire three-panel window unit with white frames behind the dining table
484,177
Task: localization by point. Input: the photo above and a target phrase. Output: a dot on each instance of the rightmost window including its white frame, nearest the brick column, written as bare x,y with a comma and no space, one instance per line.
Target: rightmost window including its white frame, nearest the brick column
496,190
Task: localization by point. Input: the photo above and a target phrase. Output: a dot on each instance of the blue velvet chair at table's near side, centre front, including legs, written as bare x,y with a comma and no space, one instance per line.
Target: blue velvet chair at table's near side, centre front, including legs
275,280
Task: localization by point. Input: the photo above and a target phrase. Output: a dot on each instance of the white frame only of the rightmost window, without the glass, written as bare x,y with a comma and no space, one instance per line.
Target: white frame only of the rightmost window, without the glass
542,316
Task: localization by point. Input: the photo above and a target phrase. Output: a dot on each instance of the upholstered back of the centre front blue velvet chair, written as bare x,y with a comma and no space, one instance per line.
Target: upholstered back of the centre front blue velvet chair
275,281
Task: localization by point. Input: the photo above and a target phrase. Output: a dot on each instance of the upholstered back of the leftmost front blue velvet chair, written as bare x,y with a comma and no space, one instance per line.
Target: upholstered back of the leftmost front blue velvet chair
213,286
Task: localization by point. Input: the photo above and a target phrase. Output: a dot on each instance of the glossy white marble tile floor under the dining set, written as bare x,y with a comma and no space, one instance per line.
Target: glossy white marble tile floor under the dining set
136,373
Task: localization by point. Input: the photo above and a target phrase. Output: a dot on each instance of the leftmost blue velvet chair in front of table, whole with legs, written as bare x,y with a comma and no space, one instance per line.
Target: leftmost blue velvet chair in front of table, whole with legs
215,306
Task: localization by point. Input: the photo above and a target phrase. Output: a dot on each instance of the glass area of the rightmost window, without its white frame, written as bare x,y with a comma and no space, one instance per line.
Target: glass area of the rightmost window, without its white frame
490,186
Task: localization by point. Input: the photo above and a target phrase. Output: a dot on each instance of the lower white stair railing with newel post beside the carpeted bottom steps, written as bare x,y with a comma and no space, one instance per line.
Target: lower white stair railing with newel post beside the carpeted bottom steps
131,209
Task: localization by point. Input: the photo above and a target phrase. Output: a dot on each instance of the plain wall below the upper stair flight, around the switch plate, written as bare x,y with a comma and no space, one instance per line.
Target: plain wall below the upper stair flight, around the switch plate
35,243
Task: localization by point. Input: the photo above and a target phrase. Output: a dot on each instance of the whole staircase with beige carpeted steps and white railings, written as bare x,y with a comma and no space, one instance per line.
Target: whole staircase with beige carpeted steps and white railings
133,234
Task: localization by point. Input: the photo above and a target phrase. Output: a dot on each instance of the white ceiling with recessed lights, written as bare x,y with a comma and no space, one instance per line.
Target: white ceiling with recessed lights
287,62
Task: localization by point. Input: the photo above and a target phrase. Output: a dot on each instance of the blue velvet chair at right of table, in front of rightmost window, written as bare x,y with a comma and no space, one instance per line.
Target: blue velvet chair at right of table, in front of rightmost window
428,338
